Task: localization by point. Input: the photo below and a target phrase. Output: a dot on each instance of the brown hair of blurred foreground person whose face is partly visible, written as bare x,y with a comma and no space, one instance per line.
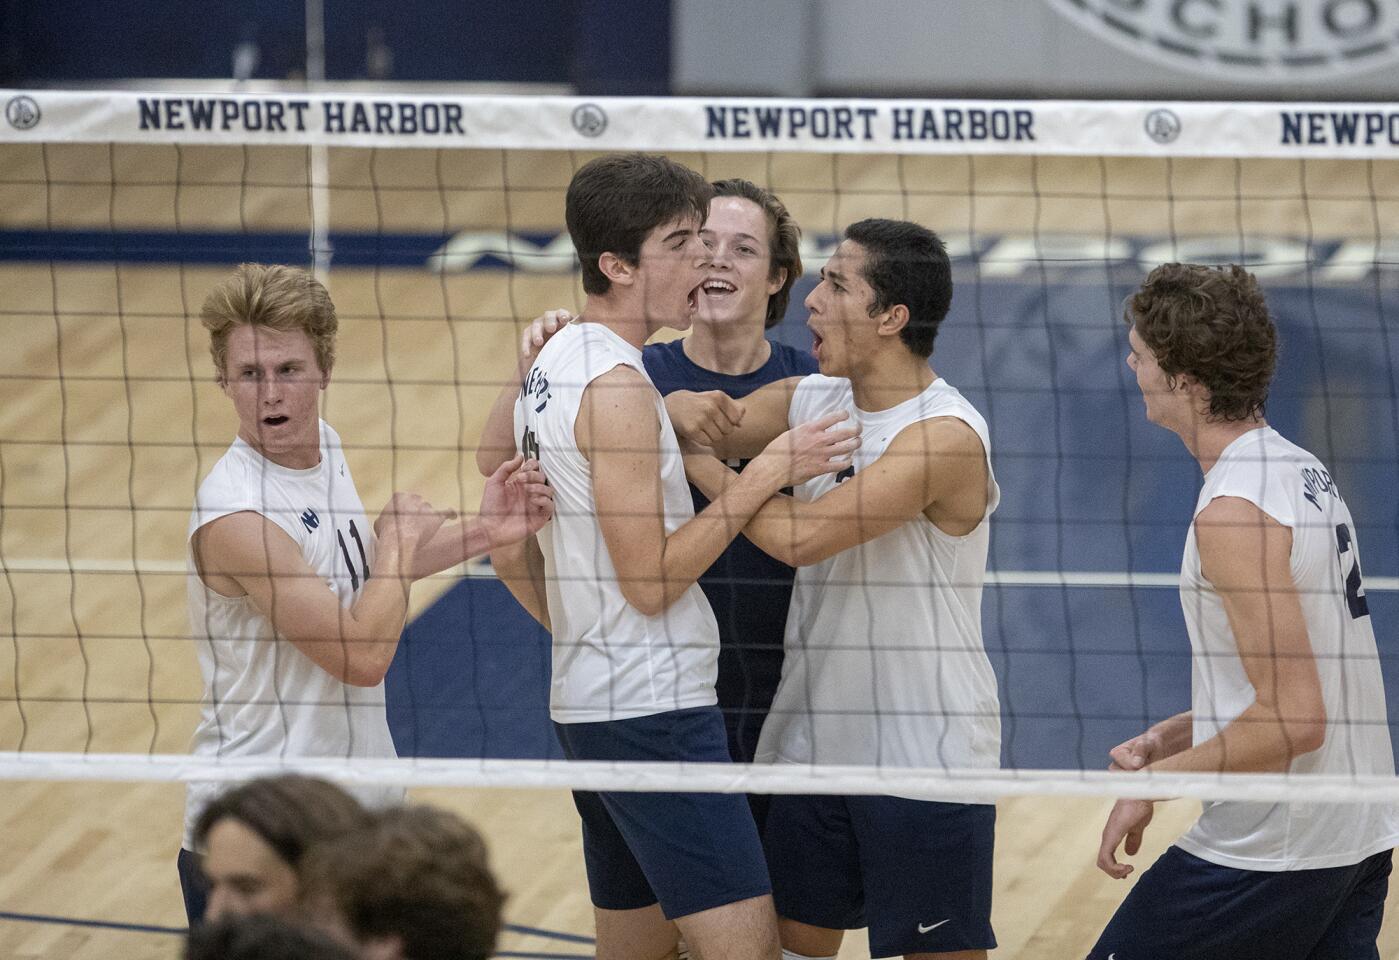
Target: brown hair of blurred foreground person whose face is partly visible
290,814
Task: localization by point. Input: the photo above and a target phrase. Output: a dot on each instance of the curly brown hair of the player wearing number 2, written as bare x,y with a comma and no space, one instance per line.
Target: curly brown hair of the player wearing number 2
1209,324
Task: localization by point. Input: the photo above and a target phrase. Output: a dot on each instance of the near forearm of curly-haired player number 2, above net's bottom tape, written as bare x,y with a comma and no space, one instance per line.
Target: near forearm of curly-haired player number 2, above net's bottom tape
1261,740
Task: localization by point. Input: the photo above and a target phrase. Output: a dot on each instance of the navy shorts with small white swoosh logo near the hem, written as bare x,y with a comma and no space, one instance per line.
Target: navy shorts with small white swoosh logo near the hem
916,873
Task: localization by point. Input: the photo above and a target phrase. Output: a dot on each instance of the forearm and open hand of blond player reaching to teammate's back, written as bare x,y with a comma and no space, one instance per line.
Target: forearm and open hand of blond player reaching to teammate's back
516,504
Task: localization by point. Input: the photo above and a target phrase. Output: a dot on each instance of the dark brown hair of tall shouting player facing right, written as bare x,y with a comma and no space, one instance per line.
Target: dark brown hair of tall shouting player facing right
613,202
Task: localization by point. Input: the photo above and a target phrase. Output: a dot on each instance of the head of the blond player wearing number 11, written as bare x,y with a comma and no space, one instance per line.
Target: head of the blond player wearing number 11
272,334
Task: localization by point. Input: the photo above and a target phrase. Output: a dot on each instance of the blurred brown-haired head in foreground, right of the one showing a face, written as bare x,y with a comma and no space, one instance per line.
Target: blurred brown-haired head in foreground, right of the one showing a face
413,885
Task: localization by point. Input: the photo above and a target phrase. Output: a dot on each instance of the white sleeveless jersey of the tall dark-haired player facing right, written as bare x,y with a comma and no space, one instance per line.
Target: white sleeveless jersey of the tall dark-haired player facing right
611,661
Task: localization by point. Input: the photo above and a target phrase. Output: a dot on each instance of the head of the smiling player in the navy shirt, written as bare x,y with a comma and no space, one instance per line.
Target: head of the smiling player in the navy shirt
755,257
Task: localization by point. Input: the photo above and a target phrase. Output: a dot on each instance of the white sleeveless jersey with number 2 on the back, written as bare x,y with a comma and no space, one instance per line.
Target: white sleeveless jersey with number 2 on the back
1295,489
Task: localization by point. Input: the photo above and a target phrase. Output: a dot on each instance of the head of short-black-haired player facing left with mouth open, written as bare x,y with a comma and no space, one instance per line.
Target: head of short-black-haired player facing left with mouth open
886,289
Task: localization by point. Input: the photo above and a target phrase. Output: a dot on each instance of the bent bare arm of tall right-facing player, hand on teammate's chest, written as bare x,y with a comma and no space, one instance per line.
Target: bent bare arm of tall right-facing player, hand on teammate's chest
619,432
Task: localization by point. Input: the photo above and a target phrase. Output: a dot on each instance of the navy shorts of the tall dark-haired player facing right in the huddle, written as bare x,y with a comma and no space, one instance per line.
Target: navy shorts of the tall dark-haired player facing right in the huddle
686,852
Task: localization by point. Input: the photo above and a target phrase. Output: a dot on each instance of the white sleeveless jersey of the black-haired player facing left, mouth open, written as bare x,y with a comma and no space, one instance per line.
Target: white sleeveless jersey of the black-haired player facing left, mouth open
885,661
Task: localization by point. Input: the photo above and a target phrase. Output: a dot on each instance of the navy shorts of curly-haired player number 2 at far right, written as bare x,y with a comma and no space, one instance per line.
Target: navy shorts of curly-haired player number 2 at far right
1186,909
